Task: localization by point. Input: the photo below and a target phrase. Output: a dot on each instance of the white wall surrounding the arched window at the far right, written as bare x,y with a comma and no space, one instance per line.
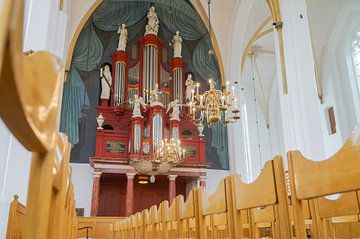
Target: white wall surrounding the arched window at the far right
333,24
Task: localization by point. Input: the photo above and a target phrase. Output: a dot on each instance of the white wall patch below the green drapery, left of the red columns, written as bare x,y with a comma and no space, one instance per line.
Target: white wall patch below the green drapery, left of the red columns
82,178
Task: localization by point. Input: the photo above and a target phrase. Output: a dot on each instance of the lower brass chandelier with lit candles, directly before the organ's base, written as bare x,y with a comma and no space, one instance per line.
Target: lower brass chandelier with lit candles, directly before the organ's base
167,155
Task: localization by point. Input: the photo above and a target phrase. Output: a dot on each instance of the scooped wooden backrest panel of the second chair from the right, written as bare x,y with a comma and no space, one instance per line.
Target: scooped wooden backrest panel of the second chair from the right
259,193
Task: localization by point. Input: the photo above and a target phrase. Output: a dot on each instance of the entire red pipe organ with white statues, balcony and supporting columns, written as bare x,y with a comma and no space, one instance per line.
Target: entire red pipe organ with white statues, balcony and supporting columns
144,111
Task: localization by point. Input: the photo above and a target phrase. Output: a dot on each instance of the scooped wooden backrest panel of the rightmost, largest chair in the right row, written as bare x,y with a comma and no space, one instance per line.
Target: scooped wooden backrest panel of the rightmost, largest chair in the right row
340,173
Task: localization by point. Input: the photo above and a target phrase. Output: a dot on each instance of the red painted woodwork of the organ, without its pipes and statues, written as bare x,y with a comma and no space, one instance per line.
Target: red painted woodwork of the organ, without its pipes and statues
116,195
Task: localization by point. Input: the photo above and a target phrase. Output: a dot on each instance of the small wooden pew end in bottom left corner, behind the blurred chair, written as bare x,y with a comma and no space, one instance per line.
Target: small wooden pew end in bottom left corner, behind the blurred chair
16,219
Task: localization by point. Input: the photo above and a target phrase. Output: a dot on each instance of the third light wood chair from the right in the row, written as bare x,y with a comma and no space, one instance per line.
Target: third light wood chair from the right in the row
213,216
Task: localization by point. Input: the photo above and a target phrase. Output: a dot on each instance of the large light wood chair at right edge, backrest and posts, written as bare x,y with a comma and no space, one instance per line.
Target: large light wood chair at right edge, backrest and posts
311,180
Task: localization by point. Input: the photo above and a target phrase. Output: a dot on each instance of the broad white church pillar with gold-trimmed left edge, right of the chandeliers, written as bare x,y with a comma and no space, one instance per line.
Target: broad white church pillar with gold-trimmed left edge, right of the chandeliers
301,114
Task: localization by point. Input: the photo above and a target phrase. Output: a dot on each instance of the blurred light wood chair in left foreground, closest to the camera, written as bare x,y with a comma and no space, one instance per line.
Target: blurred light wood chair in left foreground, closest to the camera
33,121
